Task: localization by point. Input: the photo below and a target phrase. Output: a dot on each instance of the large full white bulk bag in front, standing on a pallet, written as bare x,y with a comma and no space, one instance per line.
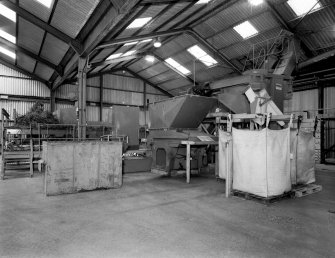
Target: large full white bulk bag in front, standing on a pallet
261,161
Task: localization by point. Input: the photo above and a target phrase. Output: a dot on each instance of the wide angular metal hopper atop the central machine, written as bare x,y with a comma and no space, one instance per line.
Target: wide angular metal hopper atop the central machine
187,111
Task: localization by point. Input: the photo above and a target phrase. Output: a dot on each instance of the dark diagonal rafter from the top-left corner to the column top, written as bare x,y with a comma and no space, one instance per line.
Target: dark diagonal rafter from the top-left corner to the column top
43,25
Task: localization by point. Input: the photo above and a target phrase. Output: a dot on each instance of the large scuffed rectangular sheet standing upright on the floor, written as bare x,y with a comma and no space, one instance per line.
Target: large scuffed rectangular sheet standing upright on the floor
79,166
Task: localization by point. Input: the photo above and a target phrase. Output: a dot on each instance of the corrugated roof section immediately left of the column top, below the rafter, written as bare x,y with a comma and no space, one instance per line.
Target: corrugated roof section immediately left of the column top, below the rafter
54,49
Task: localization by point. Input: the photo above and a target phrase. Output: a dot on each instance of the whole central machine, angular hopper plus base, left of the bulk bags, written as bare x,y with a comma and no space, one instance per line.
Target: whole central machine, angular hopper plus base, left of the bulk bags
173,121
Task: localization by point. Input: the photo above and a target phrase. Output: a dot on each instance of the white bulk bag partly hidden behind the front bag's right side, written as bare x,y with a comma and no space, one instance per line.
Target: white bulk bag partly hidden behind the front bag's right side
302,157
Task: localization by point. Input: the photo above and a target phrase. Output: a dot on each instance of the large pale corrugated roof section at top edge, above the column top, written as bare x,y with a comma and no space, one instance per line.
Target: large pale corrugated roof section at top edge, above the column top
77,13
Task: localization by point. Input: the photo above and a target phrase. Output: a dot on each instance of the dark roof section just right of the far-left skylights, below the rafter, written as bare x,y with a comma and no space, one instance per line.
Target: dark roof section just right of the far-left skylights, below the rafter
29,36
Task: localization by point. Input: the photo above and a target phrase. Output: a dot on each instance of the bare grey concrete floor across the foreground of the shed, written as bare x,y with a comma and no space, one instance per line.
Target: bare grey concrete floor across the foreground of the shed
153,216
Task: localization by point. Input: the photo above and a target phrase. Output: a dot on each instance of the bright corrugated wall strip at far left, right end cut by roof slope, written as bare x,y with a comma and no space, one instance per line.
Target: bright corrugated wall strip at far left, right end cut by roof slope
23,87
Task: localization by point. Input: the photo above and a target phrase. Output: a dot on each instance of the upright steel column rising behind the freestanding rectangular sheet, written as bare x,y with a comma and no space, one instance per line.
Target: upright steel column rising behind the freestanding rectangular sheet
82,98
